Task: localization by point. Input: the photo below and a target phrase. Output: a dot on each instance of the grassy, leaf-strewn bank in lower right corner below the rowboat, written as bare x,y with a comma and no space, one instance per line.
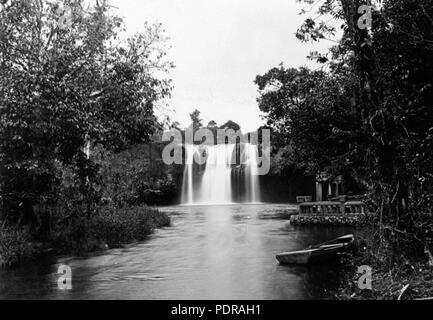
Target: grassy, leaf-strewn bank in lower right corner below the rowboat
406,280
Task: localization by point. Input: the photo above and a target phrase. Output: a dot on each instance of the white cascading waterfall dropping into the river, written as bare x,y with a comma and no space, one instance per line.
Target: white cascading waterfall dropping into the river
212,183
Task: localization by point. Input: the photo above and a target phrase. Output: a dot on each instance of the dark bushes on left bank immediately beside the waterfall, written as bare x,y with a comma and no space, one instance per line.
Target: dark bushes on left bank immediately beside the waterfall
138,176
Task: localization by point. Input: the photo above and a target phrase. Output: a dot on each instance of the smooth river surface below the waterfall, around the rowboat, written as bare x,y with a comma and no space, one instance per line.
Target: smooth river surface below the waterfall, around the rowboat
210,252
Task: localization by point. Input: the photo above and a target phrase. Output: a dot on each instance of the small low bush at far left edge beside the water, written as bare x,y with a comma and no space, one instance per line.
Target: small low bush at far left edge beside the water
14,245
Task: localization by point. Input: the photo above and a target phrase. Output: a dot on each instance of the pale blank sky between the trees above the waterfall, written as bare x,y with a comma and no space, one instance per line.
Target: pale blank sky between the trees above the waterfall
218,47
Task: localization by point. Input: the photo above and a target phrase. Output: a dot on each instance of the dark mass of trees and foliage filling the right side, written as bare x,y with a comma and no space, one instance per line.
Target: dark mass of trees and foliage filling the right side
368,112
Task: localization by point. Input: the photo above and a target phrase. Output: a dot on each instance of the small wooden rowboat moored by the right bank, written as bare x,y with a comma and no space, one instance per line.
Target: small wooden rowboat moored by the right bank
324,251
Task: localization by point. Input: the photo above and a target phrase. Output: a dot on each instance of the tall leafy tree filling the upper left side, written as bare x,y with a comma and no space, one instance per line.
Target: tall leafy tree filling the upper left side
65,79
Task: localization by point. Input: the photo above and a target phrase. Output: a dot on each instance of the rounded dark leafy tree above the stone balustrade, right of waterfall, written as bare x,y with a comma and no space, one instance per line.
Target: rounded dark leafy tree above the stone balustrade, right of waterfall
310,114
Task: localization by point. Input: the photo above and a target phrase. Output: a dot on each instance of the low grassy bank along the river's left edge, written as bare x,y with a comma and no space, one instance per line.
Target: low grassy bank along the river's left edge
107,227
